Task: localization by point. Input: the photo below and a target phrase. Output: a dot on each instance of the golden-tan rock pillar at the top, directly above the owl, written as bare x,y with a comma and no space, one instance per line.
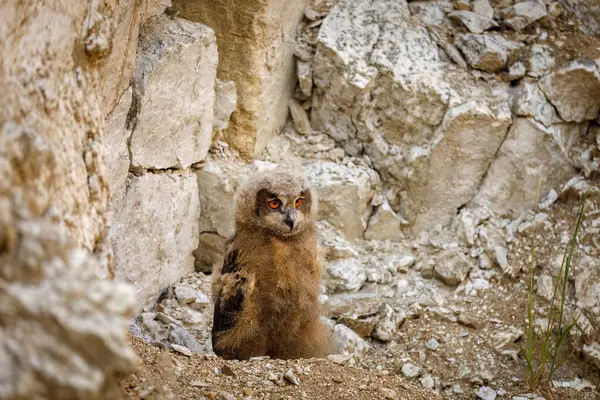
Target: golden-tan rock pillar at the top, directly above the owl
260,61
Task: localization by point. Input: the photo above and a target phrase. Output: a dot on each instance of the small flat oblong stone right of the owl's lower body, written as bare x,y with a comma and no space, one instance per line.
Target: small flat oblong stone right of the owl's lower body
352,305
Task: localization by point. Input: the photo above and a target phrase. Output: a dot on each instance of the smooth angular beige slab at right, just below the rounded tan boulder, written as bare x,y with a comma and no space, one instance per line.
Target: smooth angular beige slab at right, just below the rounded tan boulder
530,154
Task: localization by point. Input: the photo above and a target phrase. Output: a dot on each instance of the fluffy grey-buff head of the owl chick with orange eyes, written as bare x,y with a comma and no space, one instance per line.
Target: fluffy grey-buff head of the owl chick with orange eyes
278,202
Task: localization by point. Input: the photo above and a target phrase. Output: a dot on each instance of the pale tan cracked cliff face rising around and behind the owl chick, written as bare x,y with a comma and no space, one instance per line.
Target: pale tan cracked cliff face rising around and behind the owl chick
429,129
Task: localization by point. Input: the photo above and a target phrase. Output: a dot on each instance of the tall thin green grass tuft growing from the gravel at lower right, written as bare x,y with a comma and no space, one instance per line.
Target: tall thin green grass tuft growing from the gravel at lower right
542,349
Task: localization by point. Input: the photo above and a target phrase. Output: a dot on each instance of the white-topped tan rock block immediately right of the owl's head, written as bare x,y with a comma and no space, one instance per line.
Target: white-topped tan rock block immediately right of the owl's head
344,195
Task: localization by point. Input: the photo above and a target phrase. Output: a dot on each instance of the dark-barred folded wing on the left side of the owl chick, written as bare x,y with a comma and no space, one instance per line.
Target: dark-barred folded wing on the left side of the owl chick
230,297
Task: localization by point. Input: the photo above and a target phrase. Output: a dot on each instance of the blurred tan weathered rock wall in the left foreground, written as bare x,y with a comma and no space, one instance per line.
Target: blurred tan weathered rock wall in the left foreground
62,329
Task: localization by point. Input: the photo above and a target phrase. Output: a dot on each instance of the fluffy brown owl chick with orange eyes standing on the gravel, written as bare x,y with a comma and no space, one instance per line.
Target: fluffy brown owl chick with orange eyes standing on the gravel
266,294
